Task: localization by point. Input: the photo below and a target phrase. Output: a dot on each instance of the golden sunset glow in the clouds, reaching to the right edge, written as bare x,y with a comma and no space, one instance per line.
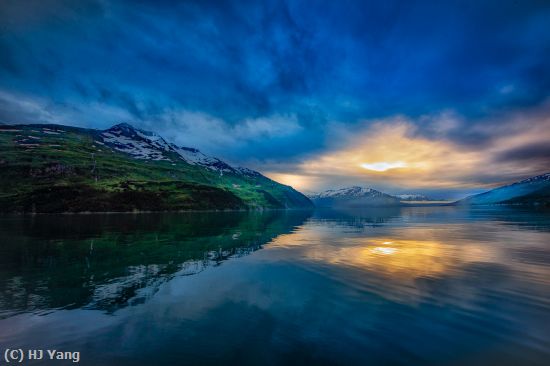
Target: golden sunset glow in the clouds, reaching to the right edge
392,152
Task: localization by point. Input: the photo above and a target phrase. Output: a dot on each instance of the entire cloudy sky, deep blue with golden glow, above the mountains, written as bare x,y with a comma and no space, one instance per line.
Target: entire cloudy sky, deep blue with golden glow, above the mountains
444,98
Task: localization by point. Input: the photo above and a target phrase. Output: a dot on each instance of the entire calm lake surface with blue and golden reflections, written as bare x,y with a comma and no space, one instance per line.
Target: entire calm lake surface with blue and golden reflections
431,285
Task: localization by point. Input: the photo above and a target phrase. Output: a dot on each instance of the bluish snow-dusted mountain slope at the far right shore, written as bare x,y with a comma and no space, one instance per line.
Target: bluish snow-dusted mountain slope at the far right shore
534,190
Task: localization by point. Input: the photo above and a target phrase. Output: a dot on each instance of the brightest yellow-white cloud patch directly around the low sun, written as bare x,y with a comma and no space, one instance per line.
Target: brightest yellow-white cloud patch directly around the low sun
417,161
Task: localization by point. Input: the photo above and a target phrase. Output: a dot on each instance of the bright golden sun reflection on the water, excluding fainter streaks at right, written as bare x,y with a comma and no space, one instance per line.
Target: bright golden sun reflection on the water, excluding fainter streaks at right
399,257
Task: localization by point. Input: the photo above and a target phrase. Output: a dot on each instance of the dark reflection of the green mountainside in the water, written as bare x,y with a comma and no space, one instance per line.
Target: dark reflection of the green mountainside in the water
111,261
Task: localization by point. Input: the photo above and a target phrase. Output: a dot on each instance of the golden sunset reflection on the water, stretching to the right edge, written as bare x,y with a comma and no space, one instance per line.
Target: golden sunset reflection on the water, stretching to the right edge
400,256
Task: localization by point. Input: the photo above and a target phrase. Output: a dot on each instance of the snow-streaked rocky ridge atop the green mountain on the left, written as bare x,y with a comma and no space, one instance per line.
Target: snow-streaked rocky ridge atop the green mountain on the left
150,146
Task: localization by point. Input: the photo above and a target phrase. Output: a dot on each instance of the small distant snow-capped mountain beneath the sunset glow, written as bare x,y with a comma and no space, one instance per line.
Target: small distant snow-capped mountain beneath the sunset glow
353,197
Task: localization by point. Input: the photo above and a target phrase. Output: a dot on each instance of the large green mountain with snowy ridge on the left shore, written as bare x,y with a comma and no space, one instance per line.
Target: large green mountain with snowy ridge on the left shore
54,168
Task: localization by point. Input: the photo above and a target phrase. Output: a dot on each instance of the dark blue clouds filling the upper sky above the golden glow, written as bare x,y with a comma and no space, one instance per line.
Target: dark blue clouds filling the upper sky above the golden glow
318,61
